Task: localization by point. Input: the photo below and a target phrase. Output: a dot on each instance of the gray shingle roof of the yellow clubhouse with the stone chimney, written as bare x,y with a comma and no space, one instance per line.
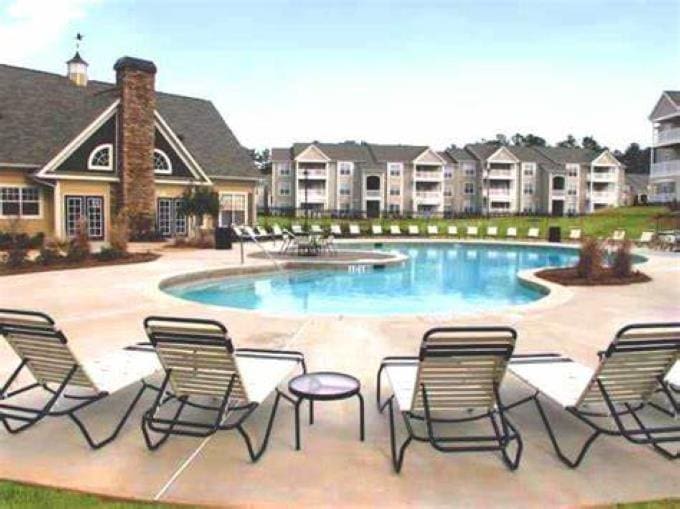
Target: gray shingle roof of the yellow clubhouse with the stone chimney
41,112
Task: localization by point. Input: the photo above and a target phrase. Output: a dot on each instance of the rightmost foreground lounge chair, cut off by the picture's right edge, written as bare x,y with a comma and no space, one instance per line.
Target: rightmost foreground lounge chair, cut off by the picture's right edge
630,371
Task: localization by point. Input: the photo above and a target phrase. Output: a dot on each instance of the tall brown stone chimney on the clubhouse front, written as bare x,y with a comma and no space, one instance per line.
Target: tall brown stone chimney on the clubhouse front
135,80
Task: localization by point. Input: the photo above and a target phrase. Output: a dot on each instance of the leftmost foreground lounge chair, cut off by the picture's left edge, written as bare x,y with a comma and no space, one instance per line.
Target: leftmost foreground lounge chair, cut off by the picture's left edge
69,384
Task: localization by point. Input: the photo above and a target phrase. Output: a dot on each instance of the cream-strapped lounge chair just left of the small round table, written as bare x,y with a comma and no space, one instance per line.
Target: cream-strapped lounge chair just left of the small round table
204,372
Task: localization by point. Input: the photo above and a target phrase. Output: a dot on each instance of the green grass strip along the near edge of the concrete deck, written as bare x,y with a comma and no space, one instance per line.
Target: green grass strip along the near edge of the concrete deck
20,496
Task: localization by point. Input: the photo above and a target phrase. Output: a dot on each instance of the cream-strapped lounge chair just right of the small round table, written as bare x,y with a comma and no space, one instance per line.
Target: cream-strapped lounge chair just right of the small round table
455,379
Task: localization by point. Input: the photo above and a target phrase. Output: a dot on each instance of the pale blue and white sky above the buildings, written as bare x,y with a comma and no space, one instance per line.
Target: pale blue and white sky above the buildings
429,72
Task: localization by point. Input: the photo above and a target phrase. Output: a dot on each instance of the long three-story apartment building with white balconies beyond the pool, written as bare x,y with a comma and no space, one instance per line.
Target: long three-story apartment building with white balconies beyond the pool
411,179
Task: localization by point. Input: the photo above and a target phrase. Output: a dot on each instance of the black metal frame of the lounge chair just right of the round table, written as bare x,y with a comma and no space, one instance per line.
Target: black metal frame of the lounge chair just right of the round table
504,432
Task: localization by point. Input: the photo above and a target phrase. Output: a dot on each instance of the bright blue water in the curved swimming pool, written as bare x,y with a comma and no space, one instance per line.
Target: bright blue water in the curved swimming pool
437,278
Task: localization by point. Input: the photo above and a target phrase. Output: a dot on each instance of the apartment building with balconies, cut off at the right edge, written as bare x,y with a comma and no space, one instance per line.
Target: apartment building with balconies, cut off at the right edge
664,178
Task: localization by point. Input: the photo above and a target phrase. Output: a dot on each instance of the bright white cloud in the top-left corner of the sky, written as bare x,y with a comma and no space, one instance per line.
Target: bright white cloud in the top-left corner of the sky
28,27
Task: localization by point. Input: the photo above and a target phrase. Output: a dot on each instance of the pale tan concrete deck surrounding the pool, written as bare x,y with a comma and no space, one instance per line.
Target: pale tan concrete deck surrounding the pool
102,309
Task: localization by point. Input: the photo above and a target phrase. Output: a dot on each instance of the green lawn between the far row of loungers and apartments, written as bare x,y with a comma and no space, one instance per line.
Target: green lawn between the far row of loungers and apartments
634,220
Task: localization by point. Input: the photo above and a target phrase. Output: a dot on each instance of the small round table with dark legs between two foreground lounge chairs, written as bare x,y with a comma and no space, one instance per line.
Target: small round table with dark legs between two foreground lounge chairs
324,386
